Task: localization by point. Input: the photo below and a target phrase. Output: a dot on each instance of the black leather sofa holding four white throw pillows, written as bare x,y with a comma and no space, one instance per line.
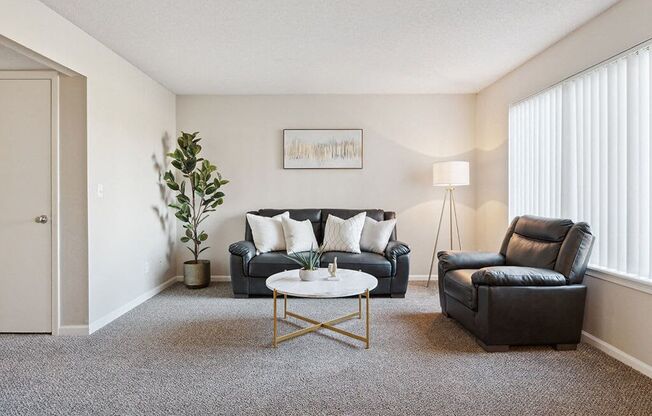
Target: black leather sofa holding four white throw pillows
249,271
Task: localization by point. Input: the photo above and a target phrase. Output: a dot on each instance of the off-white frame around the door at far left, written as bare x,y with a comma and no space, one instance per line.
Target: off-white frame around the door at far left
55,256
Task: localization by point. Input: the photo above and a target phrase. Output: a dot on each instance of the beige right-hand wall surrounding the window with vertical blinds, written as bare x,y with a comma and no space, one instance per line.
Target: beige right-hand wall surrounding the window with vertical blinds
615,314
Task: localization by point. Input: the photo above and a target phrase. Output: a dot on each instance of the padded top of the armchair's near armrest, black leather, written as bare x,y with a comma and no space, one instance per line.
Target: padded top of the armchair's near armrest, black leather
517,276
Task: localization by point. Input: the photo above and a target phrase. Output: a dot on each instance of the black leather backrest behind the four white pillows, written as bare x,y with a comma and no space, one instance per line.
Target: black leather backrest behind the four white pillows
318,218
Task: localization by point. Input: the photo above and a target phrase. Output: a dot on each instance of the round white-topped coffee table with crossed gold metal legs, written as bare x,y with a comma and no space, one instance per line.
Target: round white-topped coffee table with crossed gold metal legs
350,283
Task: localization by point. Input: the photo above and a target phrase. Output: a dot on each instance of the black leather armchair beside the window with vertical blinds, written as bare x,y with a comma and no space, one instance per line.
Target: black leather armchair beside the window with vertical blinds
531,292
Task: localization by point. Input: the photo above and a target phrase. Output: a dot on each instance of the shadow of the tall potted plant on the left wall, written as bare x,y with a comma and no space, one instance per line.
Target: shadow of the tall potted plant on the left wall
165,198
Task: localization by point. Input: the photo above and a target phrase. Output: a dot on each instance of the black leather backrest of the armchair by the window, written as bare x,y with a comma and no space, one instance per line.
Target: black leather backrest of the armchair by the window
549,243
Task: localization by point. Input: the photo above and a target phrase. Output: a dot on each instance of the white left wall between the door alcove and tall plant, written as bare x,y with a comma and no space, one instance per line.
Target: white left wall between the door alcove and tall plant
128,115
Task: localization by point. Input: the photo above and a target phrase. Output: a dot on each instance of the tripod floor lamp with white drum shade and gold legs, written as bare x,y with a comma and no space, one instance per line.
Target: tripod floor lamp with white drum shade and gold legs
449,175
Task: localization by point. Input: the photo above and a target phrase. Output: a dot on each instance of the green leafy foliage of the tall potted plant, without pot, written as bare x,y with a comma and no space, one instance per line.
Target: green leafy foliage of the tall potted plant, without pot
194,203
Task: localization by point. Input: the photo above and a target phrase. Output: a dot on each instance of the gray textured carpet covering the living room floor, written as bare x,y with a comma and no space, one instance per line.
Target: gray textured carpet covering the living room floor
202,352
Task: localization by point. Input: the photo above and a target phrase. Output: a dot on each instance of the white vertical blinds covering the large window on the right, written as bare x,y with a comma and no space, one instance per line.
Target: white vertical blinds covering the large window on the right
581,150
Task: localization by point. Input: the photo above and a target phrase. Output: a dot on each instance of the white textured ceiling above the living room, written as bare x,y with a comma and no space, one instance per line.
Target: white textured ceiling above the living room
327,46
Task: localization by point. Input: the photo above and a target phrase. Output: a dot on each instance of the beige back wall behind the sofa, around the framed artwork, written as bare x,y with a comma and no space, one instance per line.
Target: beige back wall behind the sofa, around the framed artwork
403,135
